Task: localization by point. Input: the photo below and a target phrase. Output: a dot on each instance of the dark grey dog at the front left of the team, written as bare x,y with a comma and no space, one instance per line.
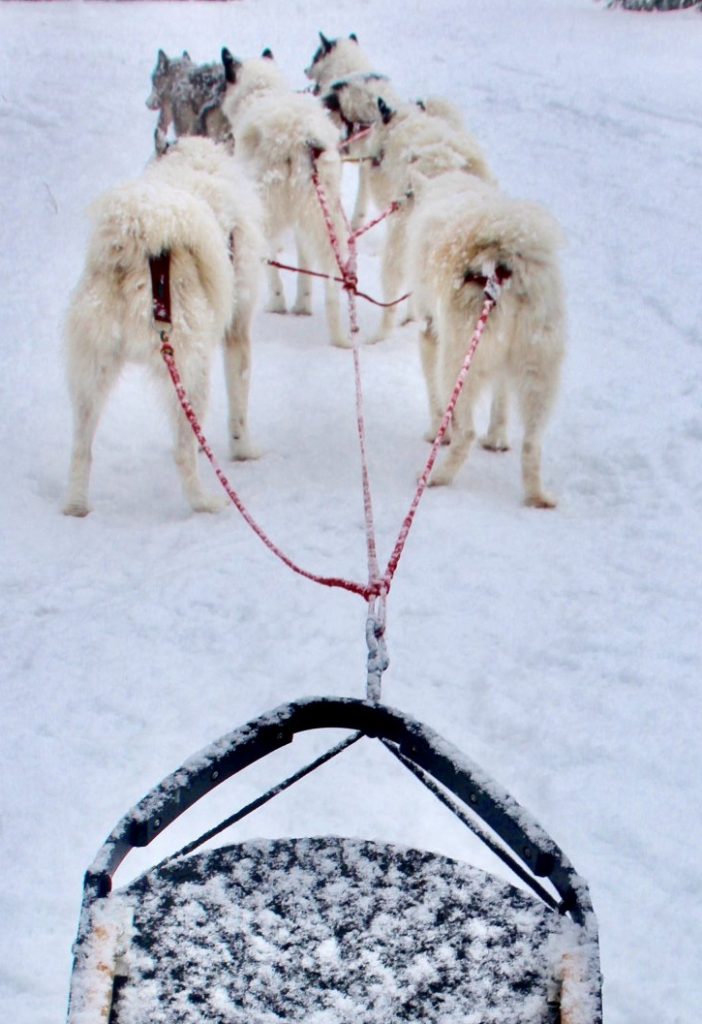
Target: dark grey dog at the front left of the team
189,97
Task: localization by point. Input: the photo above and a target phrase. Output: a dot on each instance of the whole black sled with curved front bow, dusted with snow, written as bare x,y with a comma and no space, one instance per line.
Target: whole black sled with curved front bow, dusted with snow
333,931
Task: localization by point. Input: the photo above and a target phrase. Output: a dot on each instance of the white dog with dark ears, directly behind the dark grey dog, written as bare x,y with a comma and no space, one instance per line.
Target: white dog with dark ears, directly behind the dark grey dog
279,134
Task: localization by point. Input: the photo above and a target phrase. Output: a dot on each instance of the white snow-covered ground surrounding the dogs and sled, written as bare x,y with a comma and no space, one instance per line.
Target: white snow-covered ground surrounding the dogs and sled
561,651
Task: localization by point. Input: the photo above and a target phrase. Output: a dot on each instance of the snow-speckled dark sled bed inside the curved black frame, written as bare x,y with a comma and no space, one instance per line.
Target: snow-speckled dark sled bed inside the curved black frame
336,931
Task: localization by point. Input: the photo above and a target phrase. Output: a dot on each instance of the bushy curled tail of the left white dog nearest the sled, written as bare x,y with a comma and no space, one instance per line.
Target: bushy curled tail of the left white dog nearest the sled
141,220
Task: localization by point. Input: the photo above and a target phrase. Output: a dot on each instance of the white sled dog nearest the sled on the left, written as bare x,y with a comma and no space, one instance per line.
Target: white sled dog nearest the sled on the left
195,206
